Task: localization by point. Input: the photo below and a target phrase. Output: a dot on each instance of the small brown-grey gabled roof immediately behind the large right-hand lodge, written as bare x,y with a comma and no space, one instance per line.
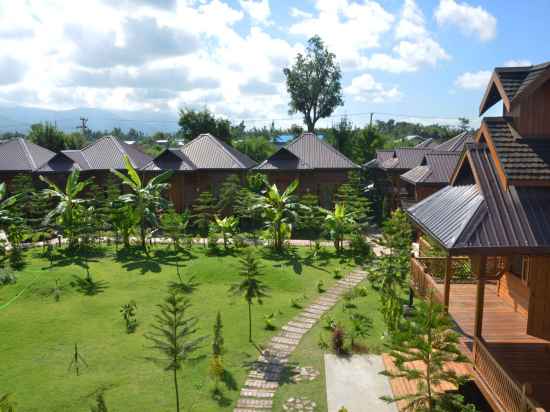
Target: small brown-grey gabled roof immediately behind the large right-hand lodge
436,168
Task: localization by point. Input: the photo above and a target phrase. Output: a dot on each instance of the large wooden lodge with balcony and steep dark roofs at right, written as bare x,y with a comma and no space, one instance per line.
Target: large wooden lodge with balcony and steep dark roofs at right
495,218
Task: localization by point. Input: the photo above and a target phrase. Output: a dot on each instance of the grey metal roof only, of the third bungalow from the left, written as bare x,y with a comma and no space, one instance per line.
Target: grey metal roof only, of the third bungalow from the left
203,152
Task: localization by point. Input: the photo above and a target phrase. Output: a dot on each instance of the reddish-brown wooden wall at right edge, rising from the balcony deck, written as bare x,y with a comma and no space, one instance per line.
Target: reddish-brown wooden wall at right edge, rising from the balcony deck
538,323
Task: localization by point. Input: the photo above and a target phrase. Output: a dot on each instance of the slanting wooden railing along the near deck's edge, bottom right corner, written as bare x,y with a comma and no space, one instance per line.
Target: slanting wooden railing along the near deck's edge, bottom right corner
511,396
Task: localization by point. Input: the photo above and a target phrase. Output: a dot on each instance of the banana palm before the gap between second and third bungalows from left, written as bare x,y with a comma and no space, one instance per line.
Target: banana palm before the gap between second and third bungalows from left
145,198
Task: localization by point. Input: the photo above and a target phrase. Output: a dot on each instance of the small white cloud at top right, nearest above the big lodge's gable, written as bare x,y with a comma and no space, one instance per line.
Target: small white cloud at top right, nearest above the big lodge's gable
471,20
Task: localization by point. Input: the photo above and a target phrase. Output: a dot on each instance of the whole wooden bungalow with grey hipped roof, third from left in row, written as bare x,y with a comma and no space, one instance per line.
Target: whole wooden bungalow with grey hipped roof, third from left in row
202,164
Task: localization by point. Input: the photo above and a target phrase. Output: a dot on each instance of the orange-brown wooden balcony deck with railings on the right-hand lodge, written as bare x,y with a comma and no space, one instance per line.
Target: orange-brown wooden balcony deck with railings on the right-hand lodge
511,368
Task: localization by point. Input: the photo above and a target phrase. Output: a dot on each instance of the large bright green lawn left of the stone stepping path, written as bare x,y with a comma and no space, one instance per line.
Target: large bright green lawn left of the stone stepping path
38,334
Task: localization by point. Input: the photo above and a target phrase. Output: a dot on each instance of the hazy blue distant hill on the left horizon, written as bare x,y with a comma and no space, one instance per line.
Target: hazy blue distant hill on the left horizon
18,118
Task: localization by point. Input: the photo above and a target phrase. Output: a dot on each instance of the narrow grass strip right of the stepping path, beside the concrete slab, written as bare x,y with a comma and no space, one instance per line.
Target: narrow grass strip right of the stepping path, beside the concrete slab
308,352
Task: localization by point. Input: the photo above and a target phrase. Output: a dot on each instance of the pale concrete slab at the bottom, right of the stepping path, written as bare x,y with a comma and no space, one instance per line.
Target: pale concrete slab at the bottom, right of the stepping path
355,382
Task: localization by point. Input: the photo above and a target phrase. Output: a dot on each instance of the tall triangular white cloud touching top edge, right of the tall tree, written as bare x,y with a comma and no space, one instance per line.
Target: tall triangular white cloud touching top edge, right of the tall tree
416,46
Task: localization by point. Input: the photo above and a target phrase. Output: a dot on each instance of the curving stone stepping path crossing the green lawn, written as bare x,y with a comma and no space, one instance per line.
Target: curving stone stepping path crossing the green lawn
263,379
